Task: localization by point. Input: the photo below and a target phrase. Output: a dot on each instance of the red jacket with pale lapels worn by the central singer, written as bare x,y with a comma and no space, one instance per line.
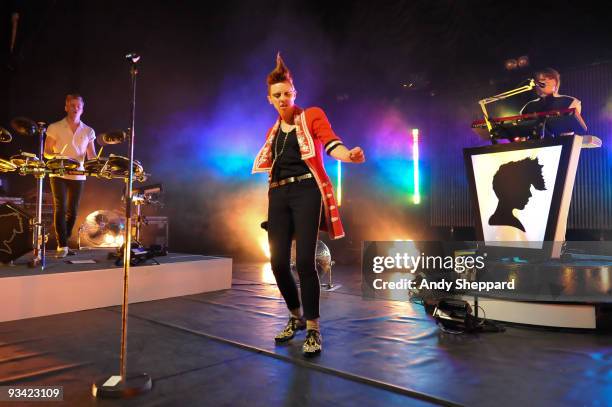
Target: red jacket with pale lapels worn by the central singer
314,133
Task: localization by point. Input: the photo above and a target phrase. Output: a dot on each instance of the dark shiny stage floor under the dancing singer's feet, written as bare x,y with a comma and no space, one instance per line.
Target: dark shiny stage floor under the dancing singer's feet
217,349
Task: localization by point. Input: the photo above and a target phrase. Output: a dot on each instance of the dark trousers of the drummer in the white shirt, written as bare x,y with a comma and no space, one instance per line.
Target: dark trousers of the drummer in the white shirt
66,197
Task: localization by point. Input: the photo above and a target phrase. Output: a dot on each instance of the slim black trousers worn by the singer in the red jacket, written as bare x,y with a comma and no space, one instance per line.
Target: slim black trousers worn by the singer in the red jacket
294,211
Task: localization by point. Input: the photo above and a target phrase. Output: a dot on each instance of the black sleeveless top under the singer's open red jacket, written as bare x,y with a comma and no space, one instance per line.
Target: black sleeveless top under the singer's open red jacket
289,162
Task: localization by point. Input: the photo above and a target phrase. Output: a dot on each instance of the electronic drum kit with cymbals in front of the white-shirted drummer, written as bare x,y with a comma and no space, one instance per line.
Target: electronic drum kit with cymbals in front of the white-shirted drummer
25,163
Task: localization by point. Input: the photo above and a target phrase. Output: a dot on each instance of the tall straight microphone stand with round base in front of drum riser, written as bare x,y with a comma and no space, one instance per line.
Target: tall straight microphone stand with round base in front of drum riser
124,385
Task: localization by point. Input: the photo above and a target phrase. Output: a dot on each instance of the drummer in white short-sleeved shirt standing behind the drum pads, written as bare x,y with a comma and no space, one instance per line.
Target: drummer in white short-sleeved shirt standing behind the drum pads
70,138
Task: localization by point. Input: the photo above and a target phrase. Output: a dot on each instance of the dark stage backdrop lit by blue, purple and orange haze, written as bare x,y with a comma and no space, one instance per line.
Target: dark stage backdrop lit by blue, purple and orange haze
377,68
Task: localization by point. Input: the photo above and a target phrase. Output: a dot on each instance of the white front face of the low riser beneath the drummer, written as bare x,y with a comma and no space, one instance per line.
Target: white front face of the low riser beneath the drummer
56,293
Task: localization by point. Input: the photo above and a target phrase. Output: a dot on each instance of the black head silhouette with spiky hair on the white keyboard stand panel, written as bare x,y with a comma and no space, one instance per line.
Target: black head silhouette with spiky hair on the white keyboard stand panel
512,185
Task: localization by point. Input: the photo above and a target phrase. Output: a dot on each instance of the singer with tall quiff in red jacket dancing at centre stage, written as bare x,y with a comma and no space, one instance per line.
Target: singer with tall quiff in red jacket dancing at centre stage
300,194
